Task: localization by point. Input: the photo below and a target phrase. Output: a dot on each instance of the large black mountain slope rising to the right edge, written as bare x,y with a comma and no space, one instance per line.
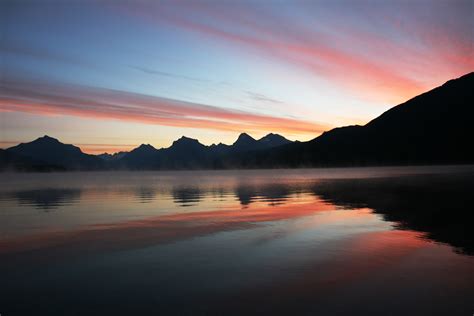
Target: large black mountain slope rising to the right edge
432,128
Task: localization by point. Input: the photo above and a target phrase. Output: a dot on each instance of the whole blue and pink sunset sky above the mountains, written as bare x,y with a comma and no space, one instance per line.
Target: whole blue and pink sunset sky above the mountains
110,75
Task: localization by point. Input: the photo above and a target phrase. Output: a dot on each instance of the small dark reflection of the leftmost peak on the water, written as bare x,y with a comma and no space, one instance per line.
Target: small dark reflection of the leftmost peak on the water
47,199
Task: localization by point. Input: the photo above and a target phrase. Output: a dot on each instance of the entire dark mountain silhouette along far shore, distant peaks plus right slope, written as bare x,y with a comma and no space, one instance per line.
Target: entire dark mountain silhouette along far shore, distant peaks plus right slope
433,128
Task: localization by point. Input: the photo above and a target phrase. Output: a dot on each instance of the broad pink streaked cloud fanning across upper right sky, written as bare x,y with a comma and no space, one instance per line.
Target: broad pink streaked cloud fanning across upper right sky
376,52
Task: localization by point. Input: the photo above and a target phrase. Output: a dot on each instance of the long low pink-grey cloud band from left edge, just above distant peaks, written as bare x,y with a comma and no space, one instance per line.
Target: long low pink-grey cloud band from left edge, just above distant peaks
98,103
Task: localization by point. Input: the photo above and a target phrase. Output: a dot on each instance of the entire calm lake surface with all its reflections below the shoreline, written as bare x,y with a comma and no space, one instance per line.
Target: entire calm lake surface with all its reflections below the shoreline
380,241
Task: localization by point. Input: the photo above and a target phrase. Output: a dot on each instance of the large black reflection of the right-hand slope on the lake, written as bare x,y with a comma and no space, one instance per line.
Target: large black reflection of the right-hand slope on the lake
440,206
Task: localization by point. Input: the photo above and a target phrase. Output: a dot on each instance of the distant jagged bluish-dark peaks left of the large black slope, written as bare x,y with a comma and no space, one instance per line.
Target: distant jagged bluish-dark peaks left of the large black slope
48,153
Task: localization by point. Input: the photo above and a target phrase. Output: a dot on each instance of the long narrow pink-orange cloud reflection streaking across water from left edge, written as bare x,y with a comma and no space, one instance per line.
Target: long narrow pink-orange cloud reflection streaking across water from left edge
166,228
